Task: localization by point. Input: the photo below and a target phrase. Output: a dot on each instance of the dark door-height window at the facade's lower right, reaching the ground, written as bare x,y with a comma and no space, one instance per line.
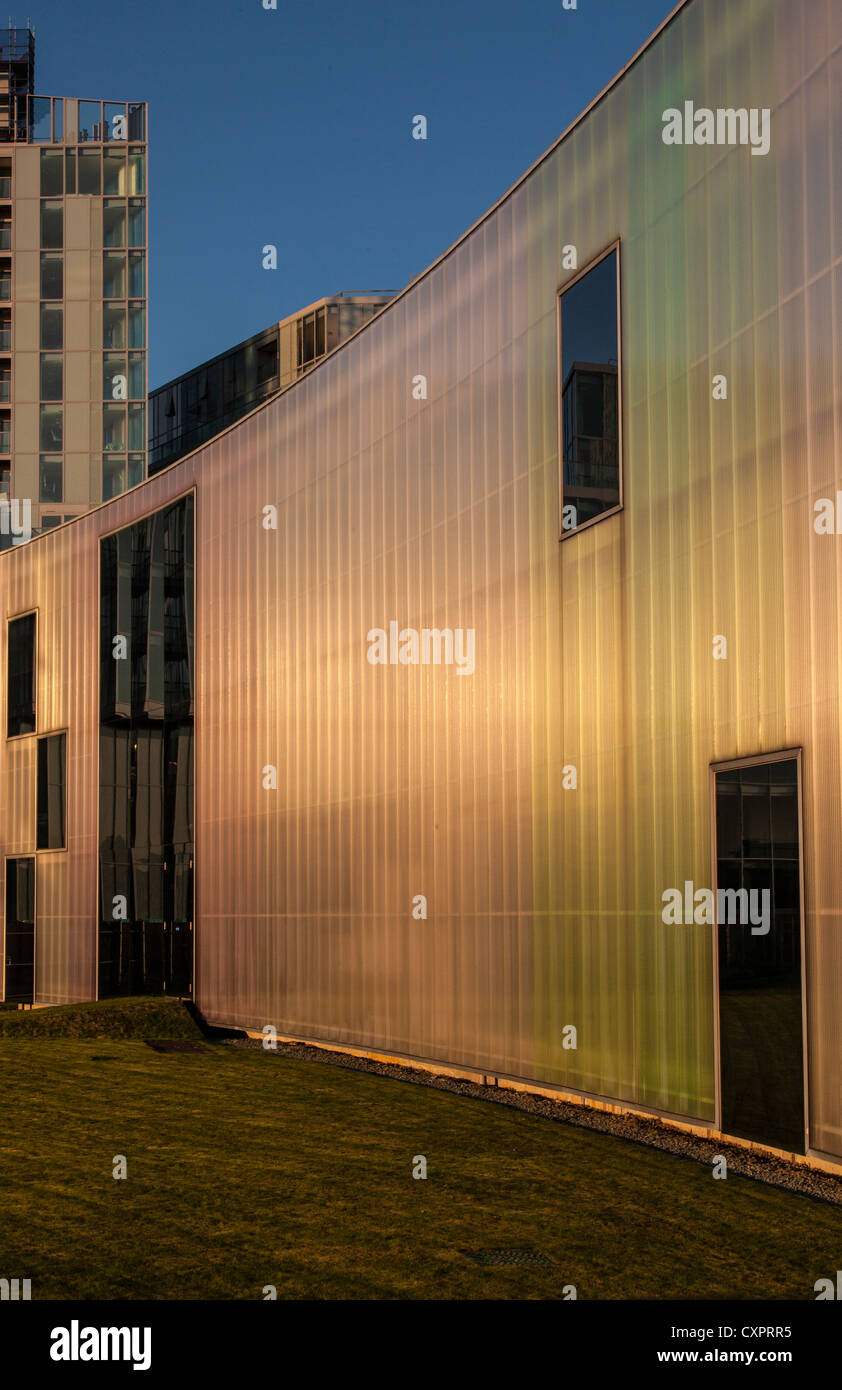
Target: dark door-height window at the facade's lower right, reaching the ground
761,957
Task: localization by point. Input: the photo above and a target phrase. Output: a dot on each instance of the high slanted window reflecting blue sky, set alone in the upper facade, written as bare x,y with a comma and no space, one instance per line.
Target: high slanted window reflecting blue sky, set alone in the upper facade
590,404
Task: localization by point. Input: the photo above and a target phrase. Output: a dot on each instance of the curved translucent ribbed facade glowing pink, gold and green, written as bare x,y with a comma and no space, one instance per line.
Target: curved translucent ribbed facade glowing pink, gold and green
537,807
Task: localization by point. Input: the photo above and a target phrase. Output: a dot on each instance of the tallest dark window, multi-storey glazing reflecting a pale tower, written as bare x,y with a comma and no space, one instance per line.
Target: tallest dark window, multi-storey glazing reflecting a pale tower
147,754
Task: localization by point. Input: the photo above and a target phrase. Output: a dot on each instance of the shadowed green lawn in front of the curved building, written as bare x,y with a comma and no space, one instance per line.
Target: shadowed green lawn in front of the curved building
247,1170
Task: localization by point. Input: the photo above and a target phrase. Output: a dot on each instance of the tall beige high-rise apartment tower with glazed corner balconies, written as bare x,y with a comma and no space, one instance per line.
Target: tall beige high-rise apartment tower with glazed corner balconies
73,297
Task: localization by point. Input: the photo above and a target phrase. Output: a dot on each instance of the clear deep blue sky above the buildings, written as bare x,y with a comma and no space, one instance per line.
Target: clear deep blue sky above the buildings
294,127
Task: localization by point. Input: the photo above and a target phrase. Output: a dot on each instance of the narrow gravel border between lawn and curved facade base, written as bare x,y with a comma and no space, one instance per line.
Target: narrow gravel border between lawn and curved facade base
648,1131
